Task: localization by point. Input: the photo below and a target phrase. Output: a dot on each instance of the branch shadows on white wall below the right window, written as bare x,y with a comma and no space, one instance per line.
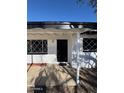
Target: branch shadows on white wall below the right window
86,59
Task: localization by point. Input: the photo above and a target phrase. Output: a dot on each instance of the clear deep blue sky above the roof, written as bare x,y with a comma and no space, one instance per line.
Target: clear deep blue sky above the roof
59,10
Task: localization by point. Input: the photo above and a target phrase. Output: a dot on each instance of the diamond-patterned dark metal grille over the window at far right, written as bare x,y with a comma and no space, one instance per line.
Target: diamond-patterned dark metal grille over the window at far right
89,45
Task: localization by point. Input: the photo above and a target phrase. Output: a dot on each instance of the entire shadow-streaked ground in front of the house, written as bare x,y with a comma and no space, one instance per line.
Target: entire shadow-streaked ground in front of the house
51,78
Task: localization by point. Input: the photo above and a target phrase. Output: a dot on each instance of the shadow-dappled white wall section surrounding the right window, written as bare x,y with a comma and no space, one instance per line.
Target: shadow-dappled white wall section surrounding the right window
86,59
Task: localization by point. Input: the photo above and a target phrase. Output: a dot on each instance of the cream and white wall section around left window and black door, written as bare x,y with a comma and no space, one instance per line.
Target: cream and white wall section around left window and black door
51,57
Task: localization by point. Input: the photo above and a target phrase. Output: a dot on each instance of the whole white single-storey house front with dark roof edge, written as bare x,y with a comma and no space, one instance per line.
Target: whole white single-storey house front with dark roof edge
69,42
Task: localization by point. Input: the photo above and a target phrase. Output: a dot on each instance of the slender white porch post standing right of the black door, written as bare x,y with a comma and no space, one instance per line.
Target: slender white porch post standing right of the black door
78,61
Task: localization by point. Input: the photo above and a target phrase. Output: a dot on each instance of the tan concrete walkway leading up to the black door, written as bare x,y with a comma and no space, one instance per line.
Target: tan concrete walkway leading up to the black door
50,76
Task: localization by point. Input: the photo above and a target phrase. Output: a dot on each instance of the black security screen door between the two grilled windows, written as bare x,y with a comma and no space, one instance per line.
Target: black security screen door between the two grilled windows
62,50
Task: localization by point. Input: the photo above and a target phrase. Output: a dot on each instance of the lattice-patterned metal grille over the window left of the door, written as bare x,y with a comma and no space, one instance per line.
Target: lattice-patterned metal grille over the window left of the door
37,46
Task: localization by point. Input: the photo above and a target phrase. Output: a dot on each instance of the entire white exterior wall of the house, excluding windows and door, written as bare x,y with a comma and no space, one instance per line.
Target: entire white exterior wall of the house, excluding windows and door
86,59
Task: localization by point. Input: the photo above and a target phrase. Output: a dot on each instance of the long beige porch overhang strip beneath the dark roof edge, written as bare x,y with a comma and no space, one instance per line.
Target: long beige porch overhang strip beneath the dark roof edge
57,31
